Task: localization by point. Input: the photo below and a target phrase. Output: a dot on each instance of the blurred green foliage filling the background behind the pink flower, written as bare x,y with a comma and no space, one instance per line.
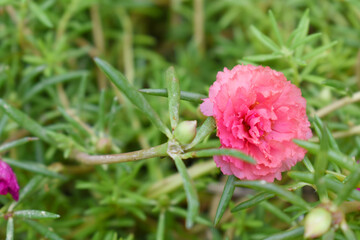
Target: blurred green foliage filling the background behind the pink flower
47,70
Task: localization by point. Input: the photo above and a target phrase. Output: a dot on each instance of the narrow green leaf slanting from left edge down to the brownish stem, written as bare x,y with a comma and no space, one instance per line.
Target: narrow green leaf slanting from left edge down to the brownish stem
26,122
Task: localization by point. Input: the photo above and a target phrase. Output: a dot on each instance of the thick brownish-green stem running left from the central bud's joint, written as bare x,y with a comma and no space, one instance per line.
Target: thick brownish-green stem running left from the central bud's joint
158,151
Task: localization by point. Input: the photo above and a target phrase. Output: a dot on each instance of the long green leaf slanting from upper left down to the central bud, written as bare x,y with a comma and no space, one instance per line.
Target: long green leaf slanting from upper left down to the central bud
132,94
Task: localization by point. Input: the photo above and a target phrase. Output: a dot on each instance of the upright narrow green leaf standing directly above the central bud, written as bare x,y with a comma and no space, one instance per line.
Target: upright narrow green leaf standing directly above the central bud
173,96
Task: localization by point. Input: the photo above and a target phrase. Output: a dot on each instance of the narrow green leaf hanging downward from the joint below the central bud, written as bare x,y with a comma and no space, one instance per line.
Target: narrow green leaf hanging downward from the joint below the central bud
190,191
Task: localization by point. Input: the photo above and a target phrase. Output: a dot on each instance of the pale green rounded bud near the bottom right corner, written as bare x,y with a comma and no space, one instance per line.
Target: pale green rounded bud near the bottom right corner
317,222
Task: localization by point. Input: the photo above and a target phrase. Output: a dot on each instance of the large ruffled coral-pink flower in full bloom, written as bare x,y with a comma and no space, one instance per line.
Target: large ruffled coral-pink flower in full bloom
258,112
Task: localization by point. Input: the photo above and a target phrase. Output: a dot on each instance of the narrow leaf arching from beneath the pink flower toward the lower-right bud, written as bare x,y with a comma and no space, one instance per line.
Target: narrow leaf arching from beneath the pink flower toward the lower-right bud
275,189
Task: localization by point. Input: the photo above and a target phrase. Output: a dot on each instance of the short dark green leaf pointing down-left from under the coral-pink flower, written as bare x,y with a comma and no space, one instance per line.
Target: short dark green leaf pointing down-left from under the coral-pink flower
225,198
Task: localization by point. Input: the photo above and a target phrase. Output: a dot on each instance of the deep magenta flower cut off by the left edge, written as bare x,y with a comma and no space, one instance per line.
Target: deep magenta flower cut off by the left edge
8,182
